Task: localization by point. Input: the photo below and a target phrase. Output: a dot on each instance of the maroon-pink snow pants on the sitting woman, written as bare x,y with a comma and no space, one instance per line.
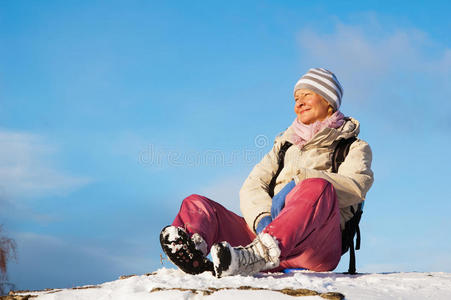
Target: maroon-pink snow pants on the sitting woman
307,228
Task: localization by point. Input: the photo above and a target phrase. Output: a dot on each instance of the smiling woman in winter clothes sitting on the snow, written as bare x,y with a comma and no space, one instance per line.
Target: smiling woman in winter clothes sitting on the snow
300,227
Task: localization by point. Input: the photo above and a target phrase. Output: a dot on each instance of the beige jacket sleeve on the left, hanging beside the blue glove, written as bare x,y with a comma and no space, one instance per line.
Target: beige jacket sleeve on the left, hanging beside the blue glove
255,202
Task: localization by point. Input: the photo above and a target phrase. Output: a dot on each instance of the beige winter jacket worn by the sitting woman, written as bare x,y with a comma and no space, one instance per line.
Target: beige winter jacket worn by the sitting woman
314,160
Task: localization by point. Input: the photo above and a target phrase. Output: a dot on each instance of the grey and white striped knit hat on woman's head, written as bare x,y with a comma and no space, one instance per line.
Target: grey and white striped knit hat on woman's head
324,83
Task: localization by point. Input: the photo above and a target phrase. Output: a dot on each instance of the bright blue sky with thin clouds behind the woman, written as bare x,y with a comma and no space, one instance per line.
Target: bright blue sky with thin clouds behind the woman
111,112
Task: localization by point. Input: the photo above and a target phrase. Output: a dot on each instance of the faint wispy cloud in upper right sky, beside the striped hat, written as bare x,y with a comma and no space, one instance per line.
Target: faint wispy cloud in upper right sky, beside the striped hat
381,67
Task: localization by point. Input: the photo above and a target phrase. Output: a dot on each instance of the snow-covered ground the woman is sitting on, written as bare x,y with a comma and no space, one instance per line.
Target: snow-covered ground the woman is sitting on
174,284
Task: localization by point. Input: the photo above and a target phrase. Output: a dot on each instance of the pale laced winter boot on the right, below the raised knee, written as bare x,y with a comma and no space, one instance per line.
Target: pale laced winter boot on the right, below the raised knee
262,254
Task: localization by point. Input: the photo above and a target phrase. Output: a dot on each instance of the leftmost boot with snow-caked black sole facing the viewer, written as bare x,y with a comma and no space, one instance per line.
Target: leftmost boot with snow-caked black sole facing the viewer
182,250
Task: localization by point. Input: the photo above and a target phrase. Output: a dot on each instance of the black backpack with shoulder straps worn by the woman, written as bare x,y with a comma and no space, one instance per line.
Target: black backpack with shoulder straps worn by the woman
352,225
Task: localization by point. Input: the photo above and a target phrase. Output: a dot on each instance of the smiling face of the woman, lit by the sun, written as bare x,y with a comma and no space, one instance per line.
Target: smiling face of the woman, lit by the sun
310,107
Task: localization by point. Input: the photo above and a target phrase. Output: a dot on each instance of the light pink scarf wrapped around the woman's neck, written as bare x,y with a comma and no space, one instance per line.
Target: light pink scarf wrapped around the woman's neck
304,133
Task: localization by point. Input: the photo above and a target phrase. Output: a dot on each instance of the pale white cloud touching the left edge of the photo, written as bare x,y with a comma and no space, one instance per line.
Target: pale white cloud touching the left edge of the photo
27,169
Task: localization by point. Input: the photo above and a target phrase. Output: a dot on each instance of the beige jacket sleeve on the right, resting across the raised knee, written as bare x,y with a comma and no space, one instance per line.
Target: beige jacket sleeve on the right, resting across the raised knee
354,177
